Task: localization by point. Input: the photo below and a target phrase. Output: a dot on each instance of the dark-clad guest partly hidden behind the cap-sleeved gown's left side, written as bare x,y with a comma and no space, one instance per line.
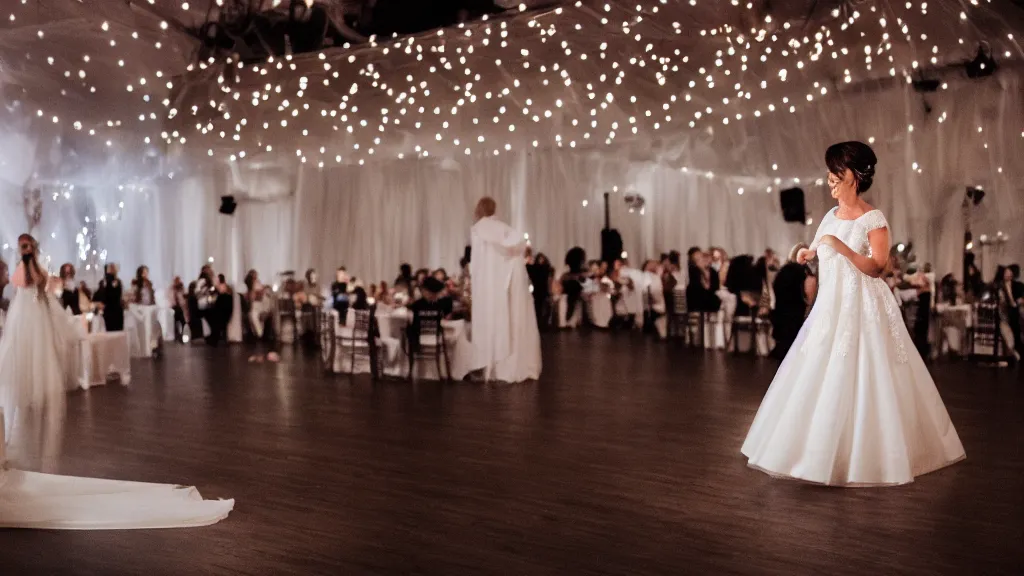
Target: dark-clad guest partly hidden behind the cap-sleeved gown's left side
795,290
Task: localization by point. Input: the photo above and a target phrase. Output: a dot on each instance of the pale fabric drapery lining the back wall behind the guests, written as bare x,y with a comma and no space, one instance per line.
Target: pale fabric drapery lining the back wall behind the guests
371,219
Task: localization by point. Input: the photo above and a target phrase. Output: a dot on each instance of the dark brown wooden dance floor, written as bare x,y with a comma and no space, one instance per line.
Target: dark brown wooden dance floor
623,461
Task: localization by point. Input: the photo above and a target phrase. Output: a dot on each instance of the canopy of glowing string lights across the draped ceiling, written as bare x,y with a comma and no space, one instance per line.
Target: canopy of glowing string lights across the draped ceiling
567,77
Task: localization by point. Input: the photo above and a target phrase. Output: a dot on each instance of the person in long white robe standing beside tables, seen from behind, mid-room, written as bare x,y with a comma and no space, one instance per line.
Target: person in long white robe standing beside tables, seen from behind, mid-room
505,337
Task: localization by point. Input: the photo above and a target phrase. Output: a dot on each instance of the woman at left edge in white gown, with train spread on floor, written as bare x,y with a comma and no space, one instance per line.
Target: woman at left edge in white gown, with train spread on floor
33,351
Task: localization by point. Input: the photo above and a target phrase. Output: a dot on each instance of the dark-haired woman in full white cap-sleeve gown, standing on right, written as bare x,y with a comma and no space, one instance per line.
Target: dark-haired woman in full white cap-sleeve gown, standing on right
852,403
